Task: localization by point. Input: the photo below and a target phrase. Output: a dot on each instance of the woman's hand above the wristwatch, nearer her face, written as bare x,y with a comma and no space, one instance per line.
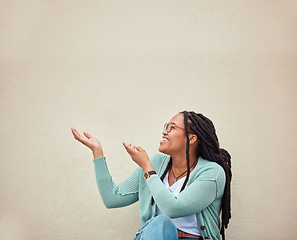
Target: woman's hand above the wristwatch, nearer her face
139,156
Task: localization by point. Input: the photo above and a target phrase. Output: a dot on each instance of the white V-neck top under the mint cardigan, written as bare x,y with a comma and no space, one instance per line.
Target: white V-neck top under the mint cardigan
186,224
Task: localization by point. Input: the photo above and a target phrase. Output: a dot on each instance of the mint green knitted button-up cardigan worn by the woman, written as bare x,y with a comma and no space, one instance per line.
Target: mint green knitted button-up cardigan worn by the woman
202,196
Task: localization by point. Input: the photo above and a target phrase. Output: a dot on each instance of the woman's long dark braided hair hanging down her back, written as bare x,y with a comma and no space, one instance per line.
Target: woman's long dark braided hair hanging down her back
209,149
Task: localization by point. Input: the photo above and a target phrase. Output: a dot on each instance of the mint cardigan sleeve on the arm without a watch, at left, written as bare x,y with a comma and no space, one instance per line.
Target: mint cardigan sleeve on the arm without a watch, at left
113,196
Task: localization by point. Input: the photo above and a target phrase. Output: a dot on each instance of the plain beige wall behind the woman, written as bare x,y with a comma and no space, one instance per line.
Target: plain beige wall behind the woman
120,69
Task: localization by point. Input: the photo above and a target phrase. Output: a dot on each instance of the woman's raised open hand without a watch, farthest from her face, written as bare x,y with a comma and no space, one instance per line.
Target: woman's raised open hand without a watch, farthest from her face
90,141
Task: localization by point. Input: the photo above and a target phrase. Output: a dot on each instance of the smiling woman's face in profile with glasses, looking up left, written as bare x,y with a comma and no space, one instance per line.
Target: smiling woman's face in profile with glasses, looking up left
175,141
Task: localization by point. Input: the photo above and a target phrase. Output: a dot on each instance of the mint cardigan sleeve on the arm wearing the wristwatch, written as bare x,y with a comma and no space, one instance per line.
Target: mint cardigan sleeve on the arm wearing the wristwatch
193,199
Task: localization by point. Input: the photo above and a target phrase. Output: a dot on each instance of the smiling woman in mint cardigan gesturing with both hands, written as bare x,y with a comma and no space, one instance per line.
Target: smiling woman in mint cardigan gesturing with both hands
181,190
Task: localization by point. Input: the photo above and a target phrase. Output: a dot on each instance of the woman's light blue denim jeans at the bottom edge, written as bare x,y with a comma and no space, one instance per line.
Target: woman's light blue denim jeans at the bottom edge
159,228
